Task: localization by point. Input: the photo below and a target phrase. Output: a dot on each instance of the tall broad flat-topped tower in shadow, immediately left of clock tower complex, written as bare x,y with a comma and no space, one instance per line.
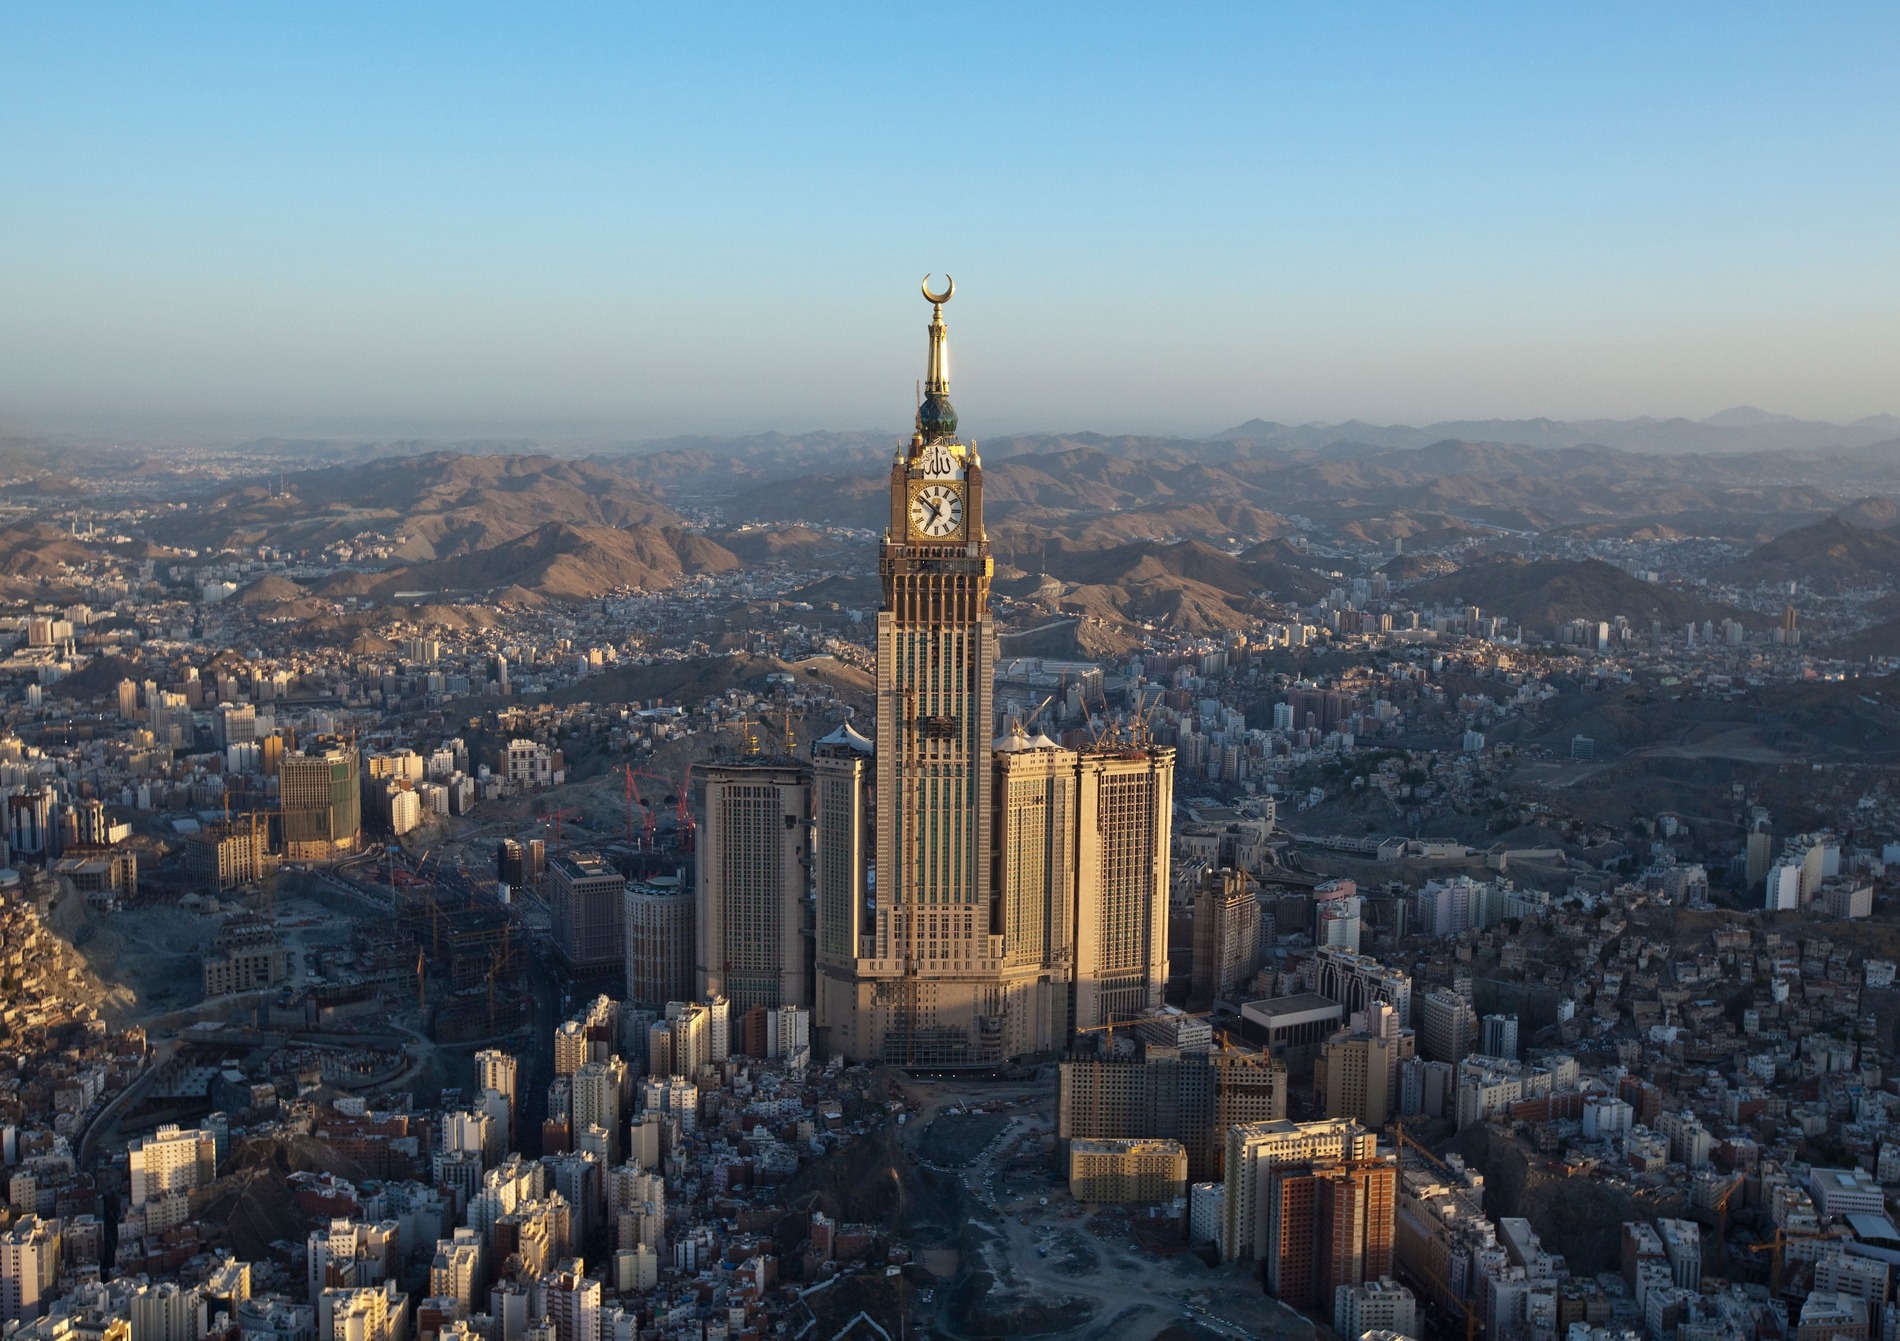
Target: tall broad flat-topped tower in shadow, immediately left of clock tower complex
753,875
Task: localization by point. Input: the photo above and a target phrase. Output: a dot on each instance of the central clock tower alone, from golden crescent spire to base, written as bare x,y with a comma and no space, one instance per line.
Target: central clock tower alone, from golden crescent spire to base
930,991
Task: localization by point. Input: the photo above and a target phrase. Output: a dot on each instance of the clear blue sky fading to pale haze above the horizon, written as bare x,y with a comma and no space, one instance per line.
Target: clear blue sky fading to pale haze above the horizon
713,219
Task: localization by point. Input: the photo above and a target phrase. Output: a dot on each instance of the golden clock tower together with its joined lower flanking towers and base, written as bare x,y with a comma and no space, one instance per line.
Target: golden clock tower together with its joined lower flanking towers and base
978,896
